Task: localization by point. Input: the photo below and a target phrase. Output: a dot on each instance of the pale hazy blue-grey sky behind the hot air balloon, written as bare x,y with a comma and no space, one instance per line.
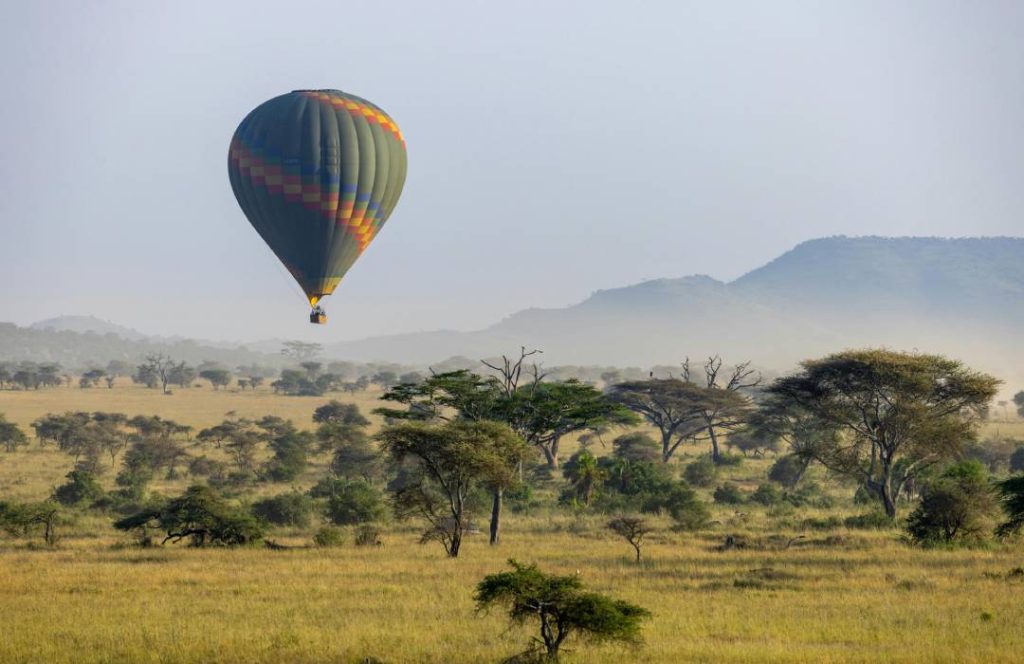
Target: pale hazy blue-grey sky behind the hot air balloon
554,148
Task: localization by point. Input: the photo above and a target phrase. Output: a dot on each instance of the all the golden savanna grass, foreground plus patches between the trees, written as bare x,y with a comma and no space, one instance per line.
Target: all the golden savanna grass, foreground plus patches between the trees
799,593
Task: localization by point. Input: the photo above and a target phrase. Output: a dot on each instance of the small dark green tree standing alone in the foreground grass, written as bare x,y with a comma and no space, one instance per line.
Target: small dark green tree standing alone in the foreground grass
562,607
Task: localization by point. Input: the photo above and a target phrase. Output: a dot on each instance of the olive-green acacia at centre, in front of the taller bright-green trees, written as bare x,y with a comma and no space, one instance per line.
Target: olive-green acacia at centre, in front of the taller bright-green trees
446,463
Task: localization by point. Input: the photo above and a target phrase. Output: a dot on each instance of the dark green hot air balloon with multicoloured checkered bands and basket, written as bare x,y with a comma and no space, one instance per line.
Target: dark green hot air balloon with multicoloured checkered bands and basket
318,174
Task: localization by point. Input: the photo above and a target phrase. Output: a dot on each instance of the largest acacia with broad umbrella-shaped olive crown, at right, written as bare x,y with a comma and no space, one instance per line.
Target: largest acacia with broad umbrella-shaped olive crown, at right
897,413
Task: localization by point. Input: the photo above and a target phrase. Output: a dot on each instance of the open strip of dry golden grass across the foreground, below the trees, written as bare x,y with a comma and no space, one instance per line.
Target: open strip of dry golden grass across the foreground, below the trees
868,599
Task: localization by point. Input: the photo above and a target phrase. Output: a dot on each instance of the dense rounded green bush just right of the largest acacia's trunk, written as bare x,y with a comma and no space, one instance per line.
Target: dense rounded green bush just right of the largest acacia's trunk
958,506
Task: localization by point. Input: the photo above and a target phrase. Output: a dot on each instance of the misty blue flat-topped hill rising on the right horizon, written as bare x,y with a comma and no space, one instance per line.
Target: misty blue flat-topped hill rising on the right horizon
963,297
